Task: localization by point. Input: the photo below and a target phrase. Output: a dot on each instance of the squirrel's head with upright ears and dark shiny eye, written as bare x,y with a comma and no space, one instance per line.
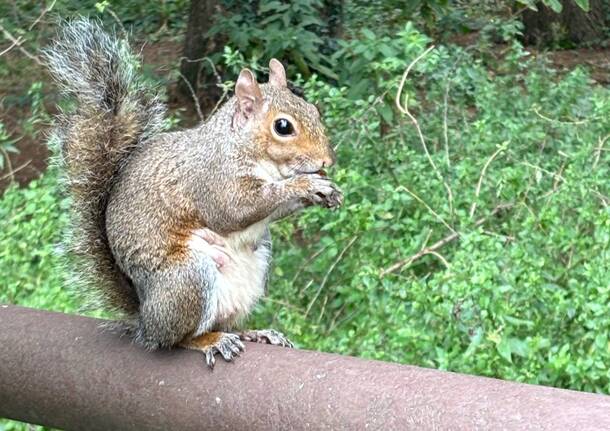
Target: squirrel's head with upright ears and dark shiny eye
287,131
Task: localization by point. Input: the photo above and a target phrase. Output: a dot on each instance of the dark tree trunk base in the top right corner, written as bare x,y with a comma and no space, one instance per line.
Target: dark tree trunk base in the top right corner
572,26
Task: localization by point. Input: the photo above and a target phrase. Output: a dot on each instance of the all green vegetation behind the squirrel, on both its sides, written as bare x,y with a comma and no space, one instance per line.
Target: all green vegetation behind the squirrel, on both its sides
475,235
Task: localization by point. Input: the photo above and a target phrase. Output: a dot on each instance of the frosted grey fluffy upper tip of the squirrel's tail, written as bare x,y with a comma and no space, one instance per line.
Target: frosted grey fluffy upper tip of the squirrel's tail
99,70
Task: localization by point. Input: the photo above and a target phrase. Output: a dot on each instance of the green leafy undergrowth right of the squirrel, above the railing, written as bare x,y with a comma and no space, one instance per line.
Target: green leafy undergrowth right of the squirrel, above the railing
523,295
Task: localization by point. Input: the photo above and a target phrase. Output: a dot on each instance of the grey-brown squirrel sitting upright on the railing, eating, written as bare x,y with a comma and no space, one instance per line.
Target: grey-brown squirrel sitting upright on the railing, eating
172,228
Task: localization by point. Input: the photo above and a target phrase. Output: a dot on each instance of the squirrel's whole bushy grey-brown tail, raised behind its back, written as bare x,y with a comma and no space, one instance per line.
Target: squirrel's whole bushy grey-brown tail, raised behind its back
115,113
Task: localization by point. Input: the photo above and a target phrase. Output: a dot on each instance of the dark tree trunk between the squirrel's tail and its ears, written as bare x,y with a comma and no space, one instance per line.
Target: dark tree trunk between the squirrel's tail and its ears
196,72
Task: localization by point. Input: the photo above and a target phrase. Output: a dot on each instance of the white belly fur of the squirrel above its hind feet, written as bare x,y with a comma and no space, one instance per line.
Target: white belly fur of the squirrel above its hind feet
239,283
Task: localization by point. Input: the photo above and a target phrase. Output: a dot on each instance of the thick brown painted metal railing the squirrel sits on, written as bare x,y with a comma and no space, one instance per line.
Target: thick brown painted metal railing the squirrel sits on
64,371
